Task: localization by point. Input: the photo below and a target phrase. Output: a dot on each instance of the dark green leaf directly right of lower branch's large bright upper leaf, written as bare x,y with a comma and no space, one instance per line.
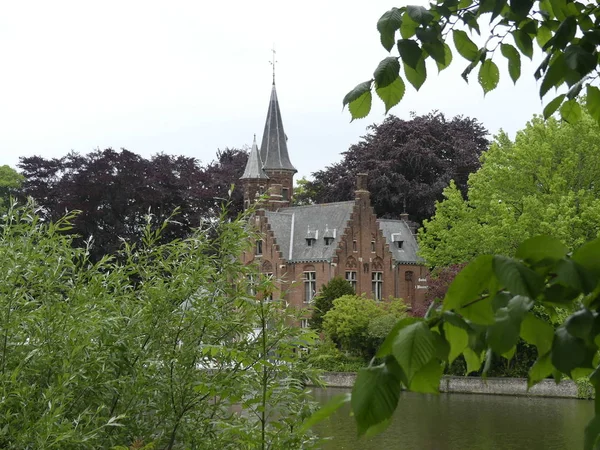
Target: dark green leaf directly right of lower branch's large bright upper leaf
517,278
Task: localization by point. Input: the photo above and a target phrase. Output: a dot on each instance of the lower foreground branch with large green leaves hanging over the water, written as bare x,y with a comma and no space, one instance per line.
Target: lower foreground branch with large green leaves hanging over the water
488,307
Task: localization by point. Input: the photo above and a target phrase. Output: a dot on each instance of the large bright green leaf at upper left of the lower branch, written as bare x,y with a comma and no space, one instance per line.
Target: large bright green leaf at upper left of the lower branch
470,283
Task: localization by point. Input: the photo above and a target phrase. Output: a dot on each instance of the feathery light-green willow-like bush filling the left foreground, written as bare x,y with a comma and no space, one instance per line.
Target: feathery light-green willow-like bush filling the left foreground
154,348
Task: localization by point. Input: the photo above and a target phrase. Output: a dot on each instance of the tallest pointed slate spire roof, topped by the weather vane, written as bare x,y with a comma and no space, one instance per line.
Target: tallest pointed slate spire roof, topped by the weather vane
273,149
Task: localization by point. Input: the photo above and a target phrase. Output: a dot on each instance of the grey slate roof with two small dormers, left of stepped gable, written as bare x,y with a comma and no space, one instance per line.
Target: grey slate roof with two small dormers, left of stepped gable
291,228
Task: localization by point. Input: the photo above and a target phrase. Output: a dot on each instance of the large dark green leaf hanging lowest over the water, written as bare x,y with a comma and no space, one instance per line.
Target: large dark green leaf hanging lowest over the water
375,396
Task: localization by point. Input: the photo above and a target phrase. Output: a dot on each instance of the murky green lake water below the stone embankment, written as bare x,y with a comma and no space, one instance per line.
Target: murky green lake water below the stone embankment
466,422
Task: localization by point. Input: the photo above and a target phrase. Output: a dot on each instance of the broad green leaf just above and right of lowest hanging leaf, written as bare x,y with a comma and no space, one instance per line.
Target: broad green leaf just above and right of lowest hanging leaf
414,347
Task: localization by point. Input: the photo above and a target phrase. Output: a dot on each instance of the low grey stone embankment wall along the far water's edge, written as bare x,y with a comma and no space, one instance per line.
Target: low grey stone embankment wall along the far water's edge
476,385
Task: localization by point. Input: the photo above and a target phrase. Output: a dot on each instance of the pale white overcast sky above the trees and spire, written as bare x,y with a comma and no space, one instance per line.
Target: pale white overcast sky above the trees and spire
191,77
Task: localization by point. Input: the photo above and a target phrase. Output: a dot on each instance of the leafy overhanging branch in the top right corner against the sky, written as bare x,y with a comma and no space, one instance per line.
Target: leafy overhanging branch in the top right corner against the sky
565,31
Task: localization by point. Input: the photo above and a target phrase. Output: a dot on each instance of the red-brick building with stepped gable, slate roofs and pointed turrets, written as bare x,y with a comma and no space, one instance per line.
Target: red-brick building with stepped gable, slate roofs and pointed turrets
306,246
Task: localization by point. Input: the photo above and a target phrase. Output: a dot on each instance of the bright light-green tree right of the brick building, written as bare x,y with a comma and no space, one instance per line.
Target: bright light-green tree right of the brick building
546,181
